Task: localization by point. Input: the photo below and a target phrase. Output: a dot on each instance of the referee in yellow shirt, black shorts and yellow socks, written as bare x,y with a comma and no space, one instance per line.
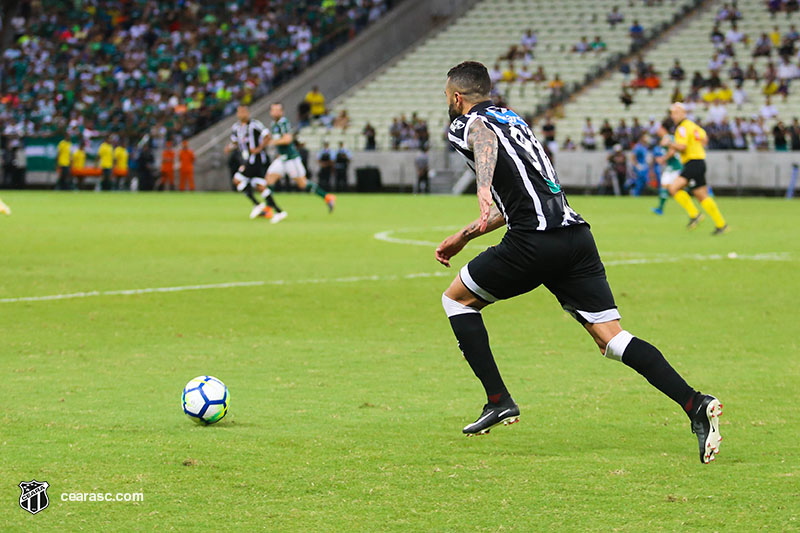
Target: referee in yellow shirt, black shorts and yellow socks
690,142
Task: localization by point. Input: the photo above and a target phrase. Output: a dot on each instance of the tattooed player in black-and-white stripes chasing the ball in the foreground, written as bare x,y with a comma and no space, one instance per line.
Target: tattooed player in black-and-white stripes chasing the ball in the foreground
547,243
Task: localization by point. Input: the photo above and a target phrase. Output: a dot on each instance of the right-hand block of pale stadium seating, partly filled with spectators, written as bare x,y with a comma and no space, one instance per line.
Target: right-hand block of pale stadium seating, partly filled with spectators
743,116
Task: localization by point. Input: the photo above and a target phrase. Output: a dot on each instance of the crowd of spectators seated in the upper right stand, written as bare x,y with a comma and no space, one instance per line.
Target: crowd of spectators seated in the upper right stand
714,98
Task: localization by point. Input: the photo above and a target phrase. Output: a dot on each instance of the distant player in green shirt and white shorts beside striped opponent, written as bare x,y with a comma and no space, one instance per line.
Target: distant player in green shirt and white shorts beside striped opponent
288,161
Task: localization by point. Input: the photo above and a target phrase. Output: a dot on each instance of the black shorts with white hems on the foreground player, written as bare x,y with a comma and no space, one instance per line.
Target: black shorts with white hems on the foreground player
564,260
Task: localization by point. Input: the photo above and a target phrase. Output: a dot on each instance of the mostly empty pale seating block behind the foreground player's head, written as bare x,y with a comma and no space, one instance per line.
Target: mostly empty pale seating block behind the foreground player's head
489,31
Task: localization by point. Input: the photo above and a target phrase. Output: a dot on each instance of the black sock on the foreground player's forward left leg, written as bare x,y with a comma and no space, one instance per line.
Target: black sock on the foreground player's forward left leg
474,343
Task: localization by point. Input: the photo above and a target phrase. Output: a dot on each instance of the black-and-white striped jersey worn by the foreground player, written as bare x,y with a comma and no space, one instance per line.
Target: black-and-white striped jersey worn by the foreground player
524,186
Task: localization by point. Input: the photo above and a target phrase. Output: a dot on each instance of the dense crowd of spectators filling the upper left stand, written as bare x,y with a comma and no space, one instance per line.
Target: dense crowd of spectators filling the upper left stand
156,68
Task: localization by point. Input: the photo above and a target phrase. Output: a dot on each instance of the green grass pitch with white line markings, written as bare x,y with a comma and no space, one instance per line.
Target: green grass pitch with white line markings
348,390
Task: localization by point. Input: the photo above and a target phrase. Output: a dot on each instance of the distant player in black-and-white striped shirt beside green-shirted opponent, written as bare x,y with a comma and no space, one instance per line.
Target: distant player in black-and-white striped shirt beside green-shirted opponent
250,138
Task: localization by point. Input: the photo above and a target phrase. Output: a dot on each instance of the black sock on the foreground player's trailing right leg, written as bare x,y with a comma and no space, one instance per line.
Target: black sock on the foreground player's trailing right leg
648,361
